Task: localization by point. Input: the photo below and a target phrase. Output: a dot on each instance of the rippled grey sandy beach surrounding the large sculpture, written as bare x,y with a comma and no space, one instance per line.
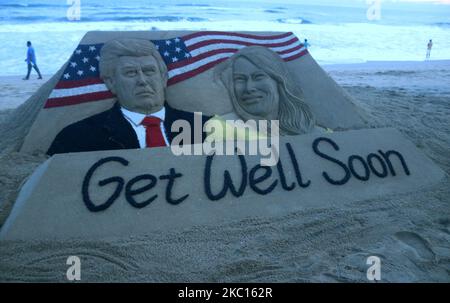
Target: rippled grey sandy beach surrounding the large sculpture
409,232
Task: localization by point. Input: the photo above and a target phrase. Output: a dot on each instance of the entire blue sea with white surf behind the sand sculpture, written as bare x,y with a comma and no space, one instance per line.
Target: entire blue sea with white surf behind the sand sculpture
338,31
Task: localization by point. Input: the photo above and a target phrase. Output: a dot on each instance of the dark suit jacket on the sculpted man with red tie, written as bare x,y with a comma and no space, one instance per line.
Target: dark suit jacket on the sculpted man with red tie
109,130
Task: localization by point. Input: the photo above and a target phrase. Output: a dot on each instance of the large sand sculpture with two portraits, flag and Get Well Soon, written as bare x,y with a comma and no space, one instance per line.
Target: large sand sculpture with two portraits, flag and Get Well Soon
115,186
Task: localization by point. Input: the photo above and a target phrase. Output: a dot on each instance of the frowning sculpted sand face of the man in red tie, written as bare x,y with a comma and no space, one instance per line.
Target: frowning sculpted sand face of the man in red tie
138,84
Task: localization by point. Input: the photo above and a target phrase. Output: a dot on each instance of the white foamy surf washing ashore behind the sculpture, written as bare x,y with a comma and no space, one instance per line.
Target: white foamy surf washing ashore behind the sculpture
330,43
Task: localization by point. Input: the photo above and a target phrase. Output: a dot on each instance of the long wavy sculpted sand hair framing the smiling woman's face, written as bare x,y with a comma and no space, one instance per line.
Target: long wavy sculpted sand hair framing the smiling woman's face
294,115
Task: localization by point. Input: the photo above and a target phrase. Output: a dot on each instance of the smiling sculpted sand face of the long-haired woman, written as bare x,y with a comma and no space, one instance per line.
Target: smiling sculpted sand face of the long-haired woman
256,92
